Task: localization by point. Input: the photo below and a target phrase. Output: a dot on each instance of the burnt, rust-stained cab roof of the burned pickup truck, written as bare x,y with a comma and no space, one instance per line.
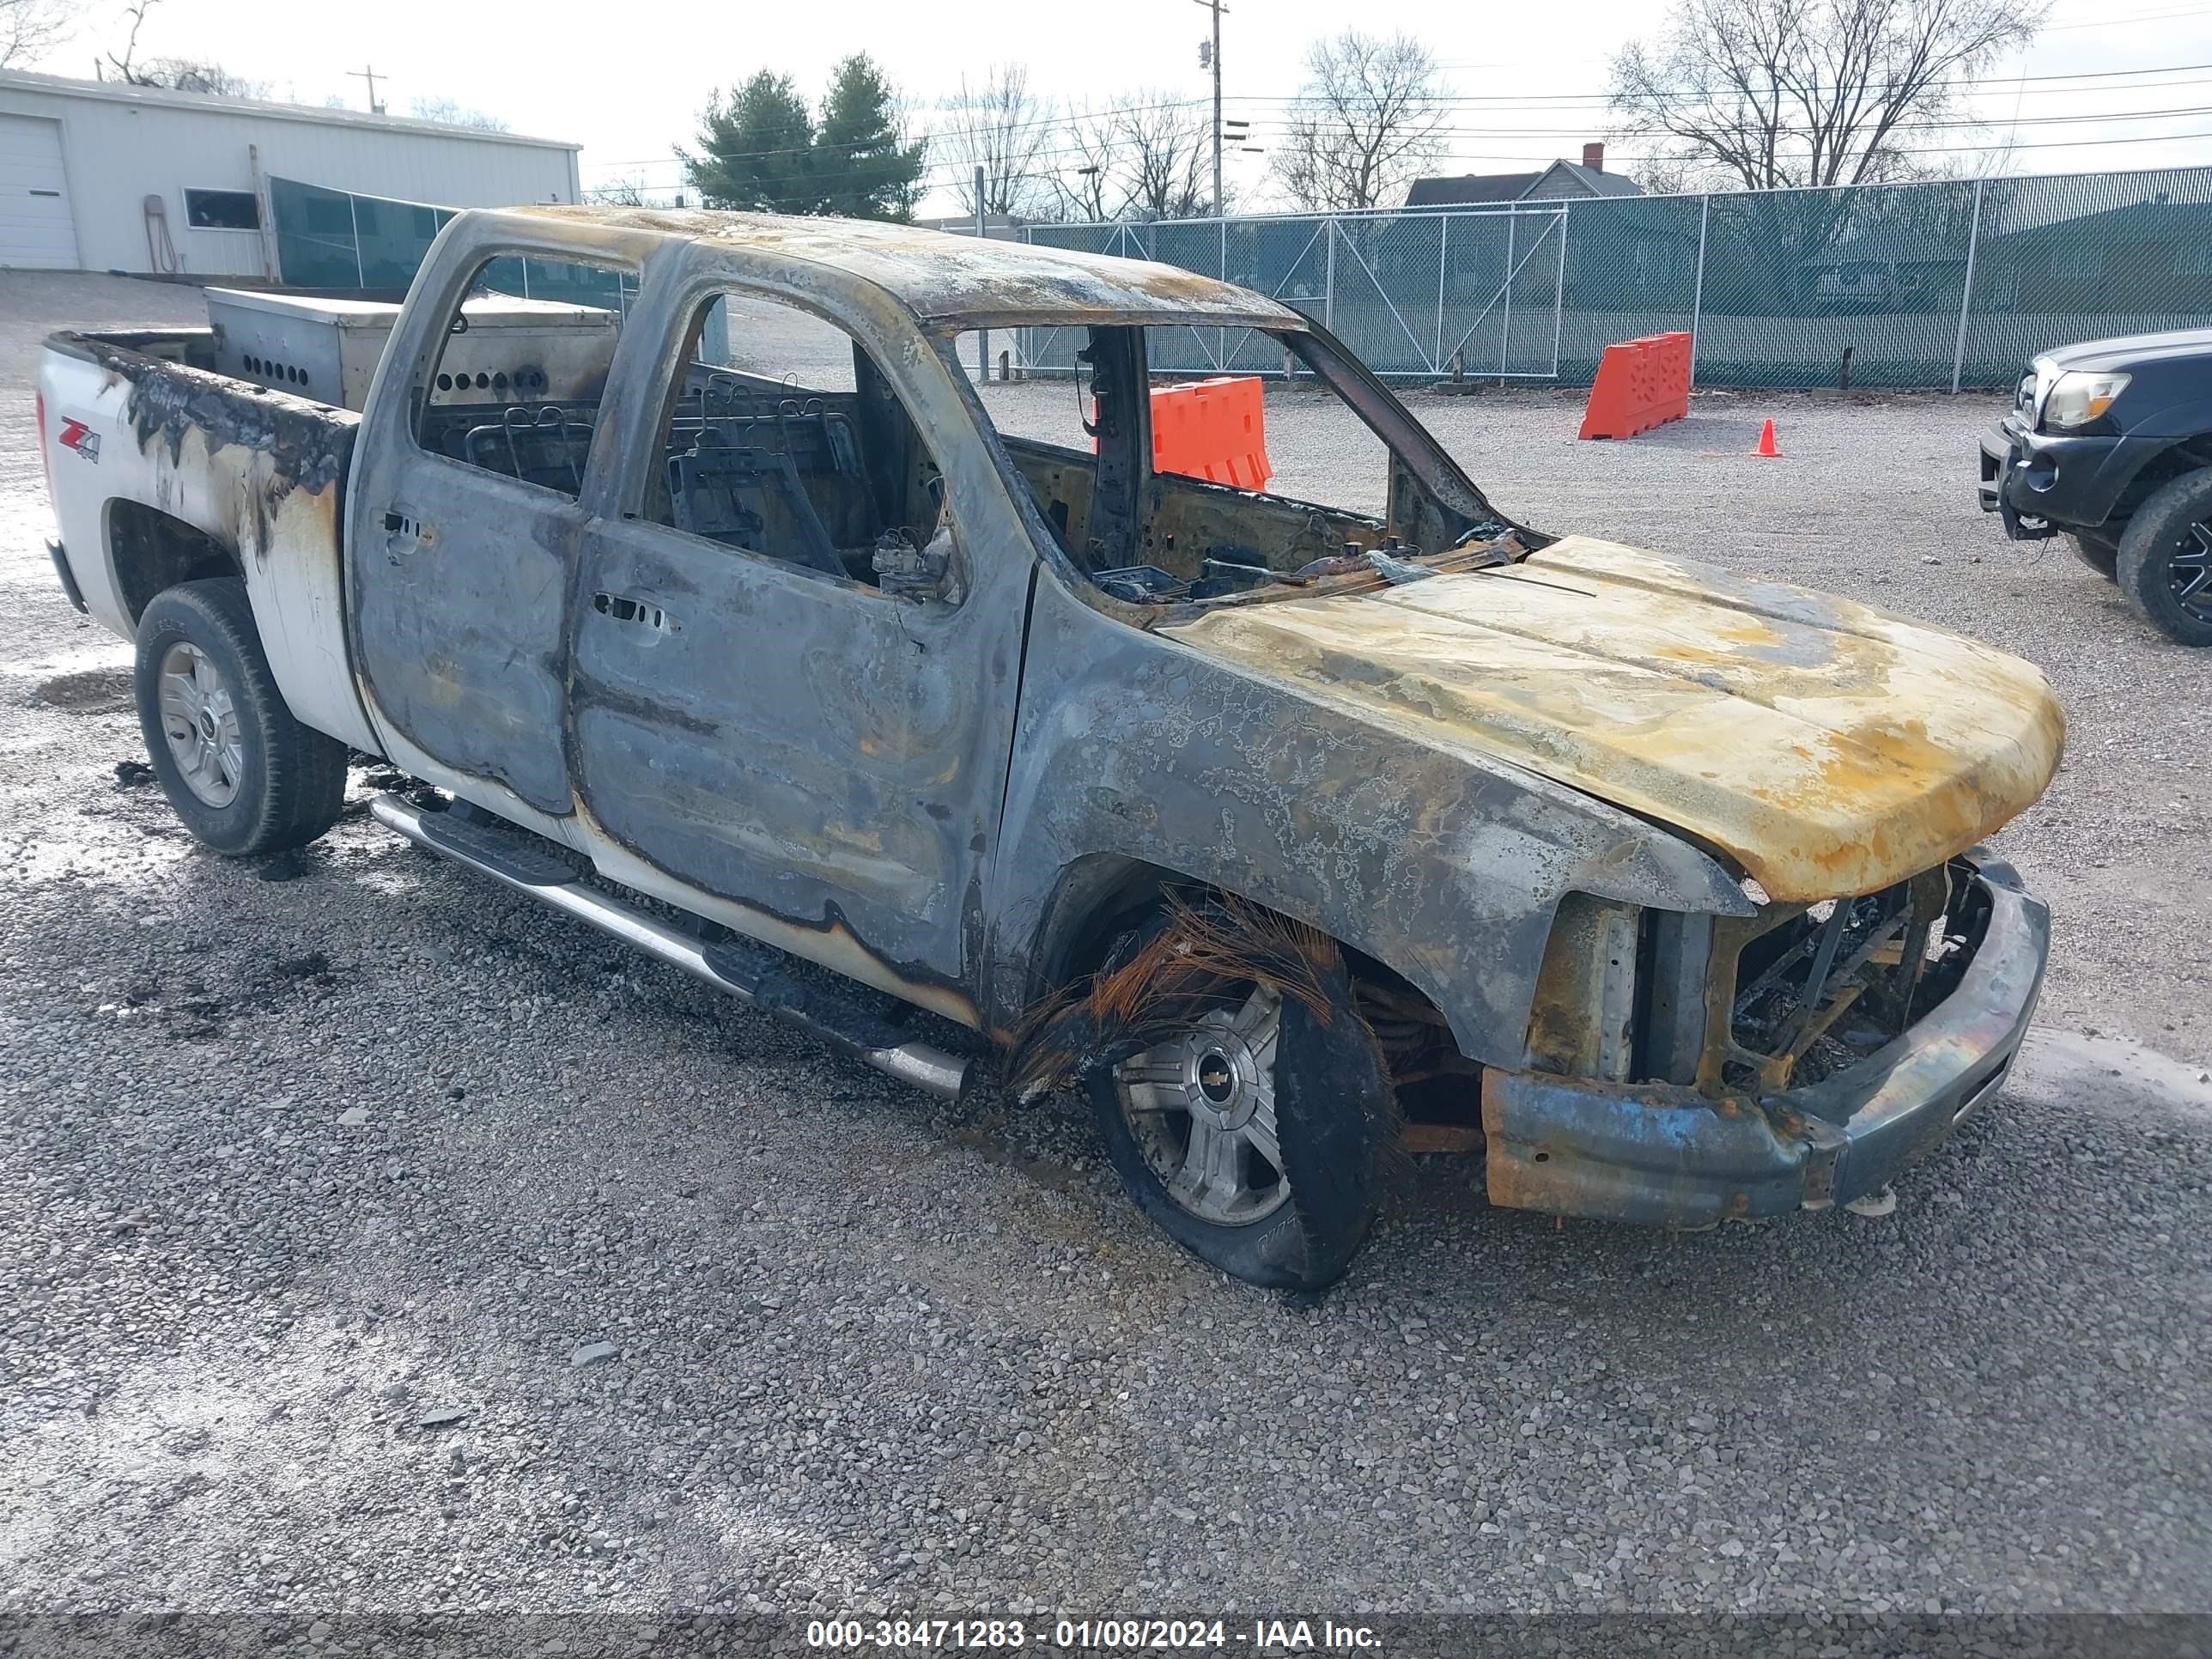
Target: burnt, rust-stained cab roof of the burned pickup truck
957,282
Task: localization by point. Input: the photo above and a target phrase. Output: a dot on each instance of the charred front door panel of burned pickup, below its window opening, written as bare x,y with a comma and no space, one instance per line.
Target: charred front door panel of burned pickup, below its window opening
795,744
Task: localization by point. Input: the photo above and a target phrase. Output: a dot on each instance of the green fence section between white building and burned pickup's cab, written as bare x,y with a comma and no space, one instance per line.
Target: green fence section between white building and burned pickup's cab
344,240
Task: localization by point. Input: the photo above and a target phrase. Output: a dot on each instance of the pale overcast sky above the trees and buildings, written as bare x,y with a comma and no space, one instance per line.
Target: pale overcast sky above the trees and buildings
627,83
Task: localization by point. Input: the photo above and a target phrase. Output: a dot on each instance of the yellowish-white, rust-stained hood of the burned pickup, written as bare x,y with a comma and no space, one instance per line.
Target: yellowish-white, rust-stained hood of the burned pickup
1826,747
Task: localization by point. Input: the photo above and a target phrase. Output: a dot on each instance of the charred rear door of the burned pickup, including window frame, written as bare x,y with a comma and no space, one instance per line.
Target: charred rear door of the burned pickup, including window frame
463,517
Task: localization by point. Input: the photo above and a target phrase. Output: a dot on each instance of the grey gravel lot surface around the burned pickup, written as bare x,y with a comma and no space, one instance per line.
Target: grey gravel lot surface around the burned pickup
377,1242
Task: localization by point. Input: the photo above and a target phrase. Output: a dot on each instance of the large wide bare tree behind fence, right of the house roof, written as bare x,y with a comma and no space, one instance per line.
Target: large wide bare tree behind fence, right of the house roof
1782,94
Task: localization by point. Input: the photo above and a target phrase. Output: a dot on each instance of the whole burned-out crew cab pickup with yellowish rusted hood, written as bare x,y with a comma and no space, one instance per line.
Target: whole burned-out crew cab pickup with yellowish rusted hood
1288,833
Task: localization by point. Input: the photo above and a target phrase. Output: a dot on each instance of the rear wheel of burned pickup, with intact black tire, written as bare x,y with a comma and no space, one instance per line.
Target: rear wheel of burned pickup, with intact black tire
238,769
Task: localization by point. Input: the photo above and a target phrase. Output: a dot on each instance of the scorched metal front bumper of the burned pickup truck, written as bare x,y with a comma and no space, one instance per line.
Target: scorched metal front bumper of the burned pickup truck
1673,1158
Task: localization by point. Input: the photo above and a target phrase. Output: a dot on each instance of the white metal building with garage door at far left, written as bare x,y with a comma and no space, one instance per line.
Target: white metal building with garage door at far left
96,176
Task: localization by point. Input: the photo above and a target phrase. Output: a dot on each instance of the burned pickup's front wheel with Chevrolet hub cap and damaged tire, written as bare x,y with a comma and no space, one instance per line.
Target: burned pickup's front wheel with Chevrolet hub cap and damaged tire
1258,1136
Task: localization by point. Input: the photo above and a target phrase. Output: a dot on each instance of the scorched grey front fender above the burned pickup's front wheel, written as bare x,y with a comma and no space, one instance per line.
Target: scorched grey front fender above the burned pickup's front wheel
1443,864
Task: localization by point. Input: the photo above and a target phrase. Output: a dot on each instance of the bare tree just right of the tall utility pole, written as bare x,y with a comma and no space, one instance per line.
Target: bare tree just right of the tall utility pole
1366,123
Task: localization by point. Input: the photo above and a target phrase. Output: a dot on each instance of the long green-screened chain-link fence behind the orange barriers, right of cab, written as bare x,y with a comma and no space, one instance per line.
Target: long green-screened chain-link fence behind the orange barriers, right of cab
1923,284
